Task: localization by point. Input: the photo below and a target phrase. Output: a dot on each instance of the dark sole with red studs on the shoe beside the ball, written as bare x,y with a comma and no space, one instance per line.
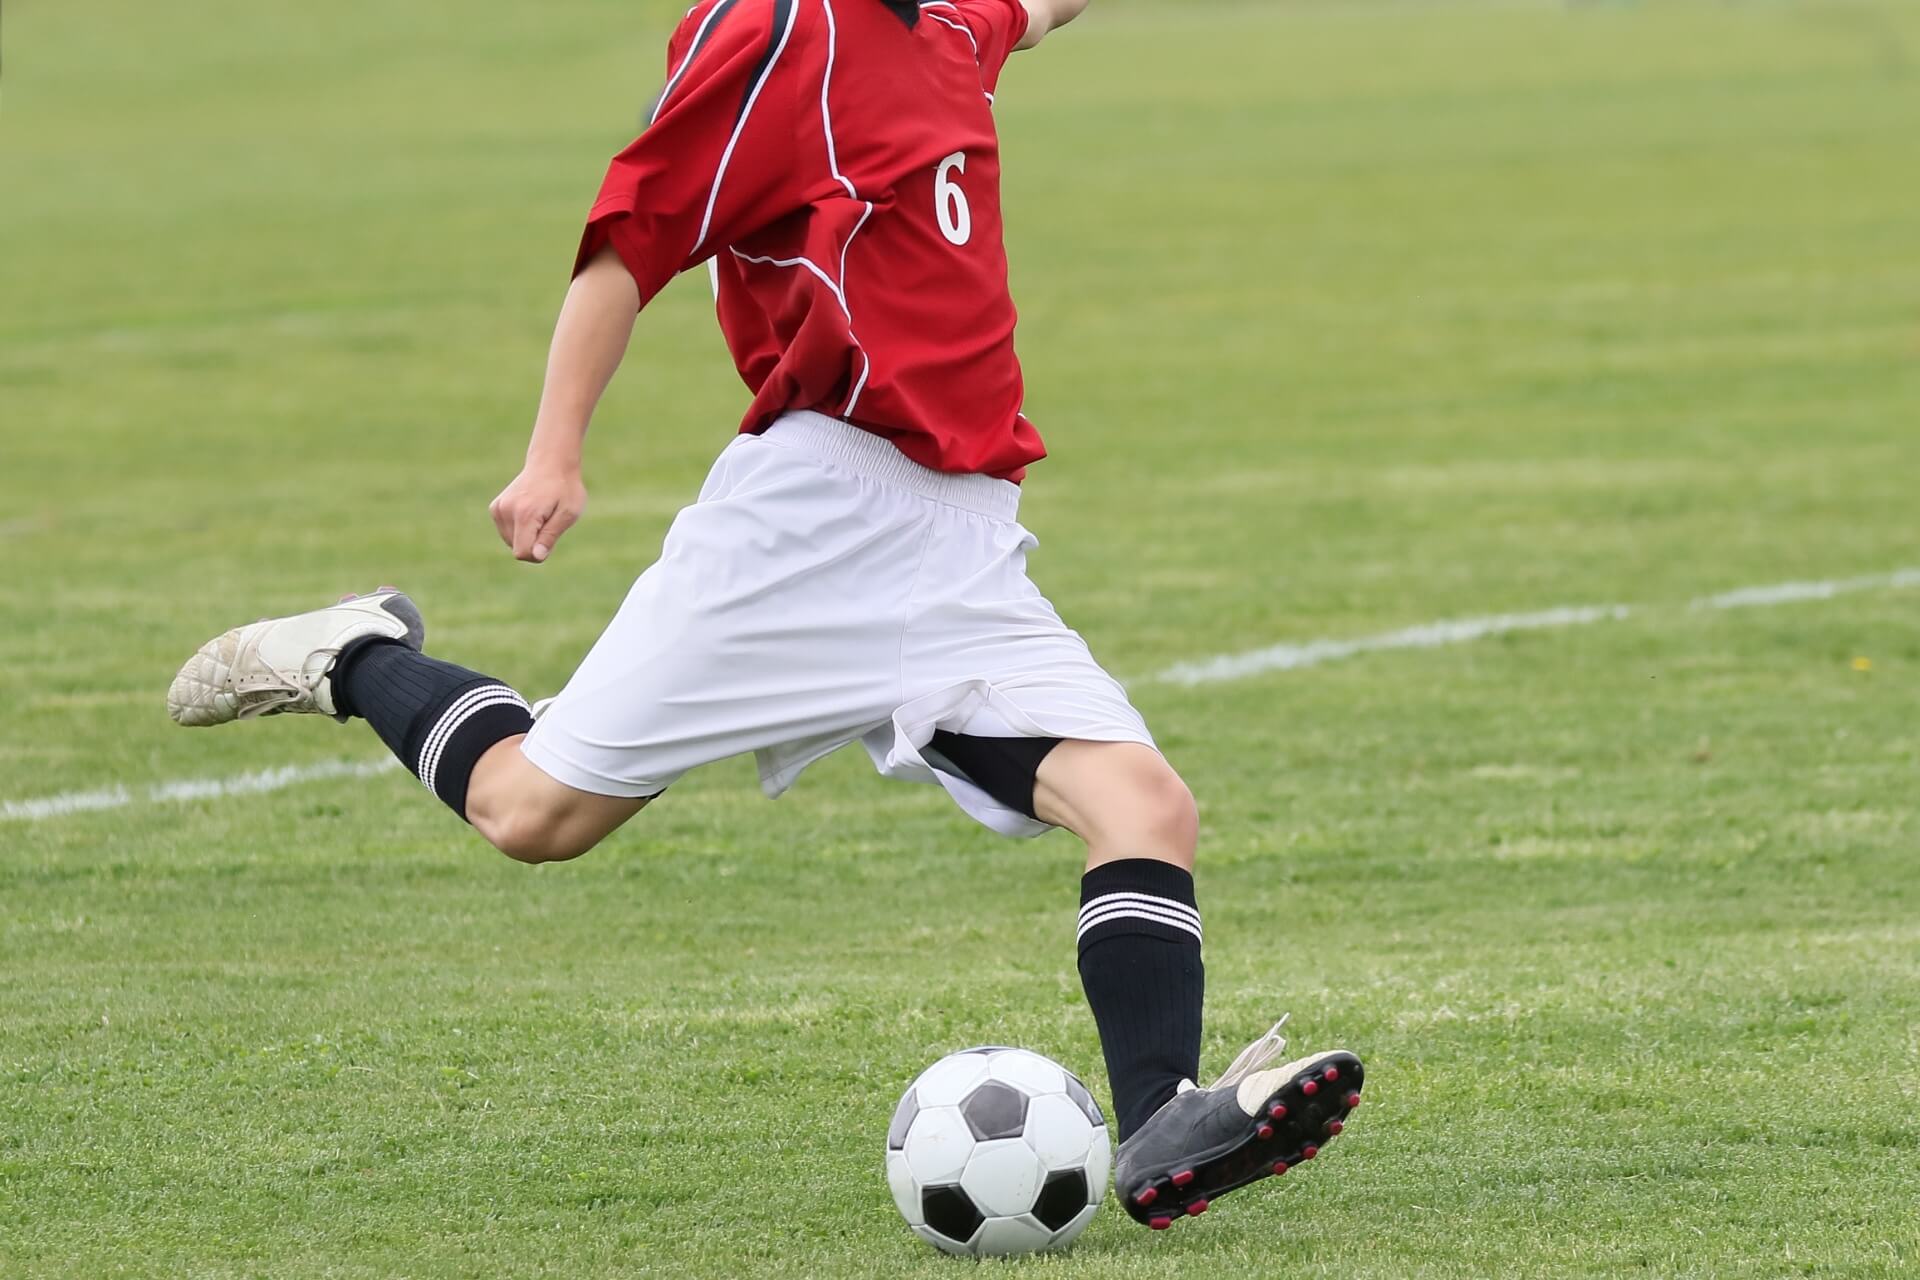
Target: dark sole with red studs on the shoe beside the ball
1295,1126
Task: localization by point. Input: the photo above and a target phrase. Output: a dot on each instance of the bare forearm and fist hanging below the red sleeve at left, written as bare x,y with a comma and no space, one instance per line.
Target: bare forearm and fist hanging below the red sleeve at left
588,343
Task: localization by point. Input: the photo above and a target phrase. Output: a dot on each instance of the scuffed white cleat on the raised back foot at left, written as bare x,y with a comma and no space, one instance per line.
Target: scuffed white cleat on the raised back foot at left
279,667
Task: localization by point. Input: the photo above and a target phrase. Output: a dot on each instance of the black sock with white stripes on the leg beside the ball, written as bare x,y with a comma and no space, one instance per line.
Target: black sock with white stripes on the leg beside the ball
1140,941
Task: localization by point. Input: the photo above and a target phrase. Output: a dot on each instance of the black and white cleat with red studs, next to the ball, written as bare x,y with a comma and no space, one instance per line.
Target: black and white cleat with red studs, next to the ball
1253,1124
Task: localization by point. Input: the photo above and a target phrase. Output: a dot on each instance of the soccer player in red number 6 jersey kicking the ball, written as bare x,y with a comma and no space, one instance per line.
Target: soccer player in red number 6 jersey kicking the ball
853,569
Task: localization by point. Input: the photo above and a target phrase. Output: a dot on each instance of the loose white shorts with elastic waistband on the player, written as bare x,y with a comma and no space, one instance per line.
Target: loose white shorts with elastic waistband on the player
823,590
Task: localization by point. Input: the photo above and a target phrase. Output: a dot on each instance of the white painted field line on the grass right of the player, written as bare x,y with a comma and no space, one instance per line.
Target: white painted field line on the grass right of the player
1464,630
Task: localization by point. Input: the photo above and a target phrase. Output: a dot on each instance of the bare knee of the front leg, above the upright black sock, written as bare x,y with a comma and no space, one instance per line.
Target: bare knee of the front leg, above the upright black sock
1122,799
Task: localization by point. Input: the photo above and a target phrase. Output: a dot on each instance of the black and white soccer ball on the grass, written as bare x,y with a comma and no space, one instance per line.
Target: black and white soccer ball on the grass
996,1152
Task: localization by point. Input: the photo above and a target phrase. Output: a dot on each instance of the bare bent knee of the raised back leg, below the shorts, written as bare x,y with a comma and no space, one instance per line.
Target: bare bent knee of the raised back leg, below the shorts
531,817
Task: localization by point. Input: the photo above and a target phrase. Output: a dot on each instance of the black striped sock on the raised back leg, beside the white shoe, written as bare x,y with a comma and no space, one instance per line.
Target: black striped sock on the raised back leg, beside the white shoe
439,719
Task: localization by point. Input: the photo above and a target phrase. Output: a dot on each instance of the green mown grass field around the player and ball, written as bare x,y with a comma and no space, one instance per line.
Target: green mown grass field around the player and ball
1337,320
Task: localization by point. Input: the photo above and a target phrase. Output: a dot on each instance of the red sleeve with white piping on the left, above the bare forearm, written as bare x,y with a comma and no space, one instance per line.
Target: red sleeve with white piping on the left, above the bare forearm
715,162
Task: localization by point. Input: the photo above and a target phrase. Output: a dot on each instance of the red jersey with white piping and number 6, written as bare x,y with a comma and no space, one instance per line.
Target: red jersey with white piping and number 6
844,174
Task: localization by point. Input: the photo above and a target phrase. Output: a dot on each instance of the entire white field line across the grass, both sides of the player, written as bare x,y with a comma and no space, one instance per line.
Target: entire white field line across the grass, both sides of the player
1205,673
